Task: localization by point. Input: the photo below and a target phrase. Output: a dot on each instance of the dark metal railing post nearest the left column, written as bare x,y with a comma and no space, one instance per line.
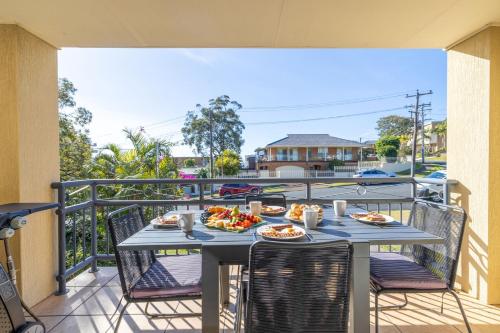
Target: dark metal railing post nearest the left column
61,230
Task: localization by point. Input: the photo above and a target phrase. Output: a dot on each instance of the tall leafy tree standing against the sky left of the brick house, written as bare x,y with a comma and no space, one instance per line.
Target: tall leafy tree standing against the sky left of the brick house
227,128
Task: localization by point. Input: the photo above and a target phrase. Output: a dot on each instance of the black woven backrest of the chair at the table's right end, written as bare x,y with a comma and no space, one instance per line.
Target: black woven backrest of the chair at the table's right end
444,221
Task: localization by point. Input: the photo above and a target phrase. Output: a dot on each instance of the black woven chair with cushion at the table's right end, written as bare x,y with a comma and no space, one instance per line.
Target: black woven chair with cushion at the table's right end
429,268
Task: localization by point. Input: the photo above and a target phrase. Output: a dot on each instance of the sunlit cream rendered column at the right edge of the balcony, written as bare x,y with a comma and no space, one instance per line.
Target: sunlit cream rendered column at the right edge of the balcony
474,158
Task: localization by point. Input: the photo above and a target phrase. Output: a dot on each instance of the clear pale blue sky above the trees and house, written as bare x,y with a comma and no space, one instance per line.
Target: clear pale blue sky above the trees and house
155,87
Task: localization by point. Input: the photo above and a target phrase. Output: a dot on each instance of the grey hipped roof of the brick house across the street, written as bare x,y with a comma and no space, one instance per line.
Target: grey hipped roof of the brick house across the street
313,140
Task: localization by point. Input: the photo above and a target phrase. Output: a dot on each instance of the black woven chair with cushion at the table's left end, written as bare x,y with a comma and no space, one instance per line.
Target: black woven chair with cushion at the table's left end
146,278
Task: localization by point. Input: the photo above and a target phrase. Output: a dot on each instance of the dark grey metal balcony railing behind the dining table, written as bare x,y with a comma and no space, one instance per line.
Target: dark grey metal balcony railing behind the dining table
83,236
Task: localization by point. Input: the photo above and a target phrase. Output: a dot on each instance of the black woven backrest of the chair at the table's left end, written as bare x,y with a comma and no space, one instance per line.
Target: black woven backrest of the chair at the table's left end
131,265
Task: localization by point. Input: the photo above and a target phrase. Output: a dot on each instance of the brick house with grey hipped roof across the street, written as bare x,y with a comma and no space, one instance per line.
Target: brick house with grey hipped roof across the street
307,152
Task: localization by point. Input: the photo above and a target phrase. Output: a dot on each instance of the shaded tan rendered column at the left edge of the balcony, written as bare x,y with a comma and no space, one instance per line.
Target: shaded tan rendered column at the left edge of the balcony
29,152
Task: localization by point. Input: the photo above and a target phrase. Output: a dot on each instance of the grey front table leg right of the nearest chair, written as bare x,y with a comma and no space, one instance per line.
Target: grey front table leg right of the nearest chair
360,289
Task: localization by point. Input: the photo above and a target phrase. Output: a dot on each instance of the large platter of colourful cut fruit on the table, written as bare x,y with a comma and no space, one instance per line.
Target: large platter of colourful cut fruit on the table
229,219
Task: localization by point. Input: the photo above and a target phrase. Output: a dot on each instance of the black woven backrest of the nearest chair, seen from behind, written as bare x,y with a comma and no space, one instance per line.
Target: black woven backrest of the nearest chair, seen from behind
299,287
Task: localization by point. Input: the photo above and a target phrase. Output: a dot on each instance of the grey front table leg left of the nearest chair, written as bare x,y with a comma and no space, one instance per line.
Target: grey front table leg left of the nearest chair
210,291
